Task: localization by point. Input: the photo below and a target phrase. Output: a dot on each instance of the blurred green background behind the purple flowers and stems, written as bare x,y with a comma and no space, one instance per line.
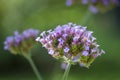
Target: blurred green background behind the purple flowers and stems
47,14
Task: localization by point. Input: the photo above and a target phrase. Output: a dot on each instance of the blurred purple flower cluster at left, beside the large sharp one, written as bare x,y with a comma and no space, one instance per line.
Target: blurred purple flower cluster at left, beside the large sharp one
21,42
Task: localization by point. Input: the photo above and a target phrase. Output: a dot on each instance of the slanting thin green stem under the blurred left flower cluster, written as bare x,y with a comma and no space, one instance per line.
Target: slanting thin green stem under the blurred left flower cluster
28,57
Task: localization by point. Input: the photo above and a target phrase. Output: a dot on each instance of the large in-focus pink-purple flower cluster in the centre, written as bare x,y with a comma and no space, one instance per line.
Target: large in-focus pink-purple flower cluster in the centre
72,43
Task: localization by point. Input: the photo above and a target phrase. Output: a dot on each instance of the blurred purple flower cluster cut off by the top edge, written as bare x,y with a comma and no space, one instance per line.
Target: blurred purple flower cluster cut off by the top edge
96,6
